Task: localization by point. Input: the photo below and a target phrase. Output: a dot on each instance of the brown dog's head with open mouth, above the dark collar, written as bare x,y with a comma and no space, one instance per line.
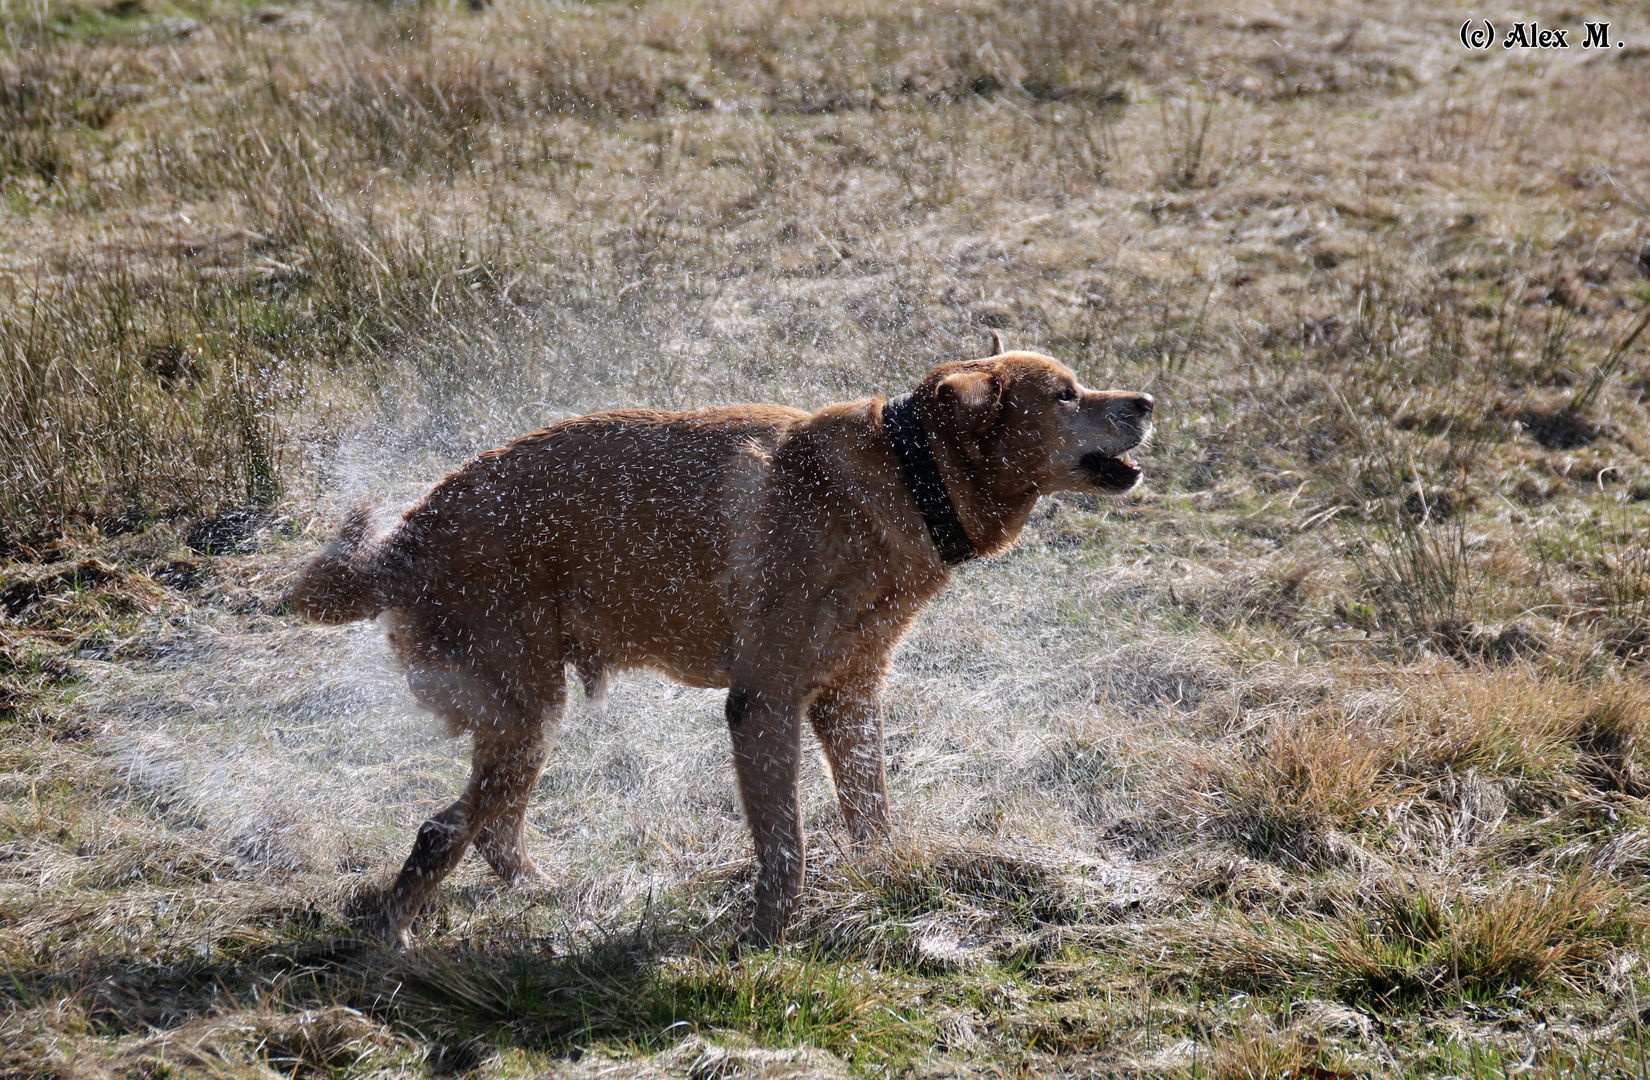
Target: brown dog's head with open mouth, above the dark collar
1024,421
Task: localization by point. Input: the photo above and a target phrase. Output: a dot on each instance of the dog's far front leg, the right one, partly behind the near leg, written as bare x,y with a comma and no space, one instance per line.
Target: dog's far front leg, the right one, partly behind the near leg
849,723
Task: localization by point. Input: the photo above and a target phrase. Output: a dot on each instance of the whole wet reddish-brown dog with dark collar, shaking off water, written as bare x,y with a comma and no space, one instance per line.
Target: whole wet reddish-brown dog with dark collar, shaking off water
766,550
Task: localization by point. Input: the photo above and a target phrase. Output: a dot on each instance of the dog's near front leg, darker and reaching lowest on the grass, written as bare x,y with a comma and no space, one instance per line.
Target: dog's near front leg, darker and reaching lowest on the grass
766,730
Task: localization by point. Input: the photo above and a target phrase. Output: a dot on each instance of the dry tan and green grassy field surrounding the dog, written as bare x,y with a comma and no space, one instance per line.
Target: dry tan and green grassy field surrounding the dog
1322,756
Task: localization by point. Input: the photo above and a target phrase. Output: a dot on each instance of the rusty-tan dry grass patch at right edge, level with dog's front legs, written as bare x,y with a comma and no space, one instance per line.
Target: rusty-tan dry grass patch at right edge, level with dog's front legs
1435,772
